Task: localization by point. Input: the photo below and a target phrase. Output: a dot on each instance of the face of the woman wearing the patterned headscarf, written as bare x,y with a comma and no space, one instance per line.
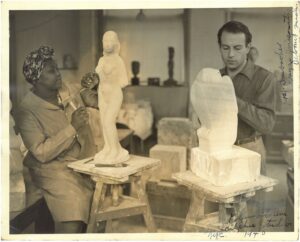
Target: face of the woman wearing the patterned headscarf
50,76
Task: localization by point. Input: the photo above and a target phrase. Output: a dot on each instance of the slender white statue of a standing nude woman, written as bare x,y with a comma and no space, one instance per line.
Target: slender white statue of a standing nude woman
112,72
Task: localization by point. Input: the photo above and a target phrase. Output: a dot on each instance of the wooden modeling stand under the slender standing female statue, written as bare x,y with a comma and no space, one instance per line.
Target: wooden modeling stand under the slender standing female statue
116,205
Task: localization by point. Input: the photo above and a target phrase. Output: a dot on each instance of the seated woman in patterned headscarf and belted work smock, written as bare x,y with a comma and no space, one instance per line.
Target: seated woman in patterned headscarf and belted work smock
52,143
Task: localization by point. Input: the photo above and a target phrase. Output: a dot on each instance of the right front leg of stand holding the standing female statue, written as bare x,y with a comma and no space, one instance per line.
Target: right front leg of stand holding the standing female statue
144,199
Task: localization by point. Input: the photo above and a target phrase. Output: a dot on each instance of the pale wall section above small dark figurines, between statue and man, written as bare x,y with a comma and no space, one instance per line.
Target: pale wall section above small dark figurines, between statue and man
147,41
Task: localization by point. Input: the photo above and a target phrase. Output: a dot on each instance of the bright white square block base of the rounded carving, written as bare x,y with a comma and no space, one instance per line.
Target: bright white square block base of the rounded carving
226,168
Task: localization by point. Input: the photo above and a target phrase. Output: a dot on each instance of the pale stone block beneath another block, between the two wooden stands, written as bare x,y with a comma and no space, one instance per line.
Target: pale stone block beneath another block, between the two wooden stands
173,159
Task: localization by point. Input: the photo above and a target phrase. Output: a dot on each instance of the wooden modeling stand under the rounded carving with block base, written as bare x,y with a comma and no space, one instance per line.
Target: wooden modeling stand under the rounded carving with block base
229,197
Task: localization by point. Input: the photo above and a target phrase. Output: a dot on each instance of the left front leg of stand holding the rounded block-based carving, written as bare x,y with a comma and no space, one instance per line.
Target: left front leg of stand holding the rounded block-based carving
196,210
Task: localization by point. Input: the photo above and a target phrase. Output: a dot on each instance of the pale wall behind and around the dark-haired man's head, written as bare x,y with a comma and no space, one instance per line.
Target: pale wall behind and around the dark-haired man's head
268,28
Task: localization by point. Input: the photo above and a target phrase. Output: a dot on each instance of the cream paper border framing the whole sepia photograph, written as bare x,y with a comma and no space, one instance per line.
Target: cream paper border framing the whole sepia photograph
6,6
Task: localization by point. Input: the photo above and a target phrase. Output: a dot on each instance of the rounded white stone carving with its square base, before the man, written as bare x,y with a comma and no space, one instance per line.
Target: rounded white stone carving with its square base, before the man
217,159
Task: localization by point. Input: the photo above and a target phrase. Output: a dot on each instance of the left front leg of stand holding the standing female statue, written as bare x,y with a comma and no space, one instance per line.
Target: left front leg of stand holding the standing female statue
97,198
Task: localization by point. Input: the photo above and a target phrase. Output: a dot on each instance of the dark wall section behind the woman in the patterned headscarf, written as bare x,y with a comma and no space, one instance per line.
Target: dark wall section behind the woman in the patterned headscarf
68,32
